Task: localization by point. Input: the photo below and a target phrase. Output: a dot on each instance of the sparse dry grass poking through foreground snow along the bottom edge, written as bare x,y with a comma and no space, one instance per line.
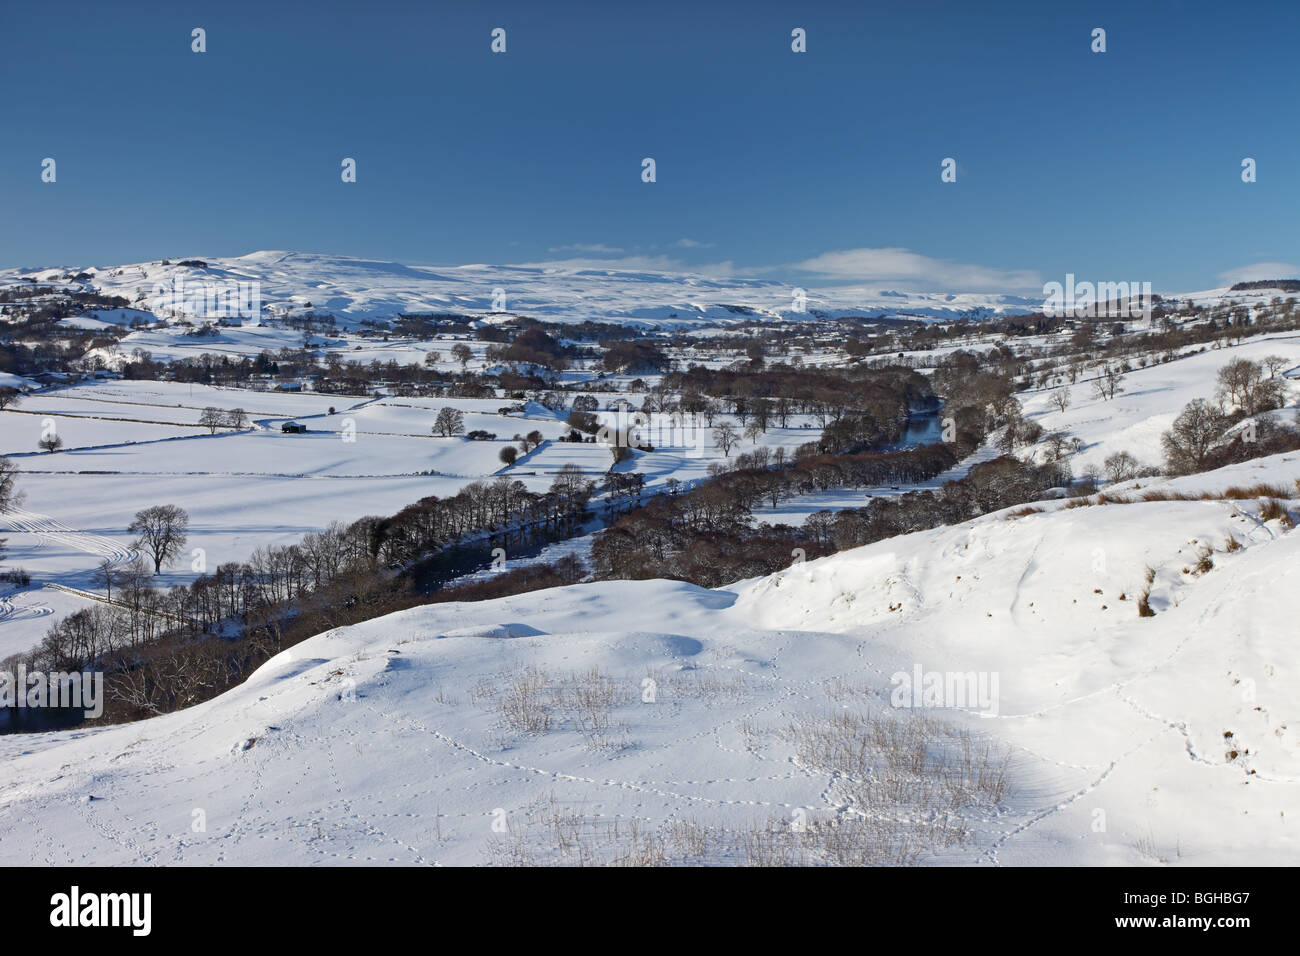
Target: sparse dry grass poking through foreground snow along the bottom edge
904,782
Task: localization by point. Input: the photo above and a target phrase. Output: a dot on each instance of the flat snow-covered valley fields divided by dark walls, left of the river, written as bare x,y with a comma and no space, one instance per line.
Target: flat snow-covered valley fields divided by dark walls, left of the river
129,445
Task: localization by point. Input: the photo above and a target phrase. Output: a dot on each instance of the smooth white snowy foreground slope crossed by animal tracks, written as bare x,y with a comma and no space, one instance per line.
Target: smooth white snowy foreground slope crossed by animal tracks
1129,741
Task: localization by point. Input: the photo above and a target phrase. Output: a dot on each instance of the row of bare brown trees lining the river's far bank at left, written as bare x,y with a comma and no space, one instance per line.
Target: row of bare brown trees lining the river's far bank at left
140,631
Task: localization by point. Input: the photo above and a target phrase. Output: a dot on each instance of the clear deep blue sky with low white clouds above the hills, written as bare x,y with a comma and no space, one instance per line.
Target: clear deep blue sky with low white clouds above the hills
814,167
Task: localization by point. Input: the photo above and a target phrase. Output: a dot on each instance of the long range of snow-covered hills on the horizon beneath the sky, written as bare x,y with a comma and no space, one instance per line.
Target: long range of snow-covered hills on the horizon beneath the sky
357,289
